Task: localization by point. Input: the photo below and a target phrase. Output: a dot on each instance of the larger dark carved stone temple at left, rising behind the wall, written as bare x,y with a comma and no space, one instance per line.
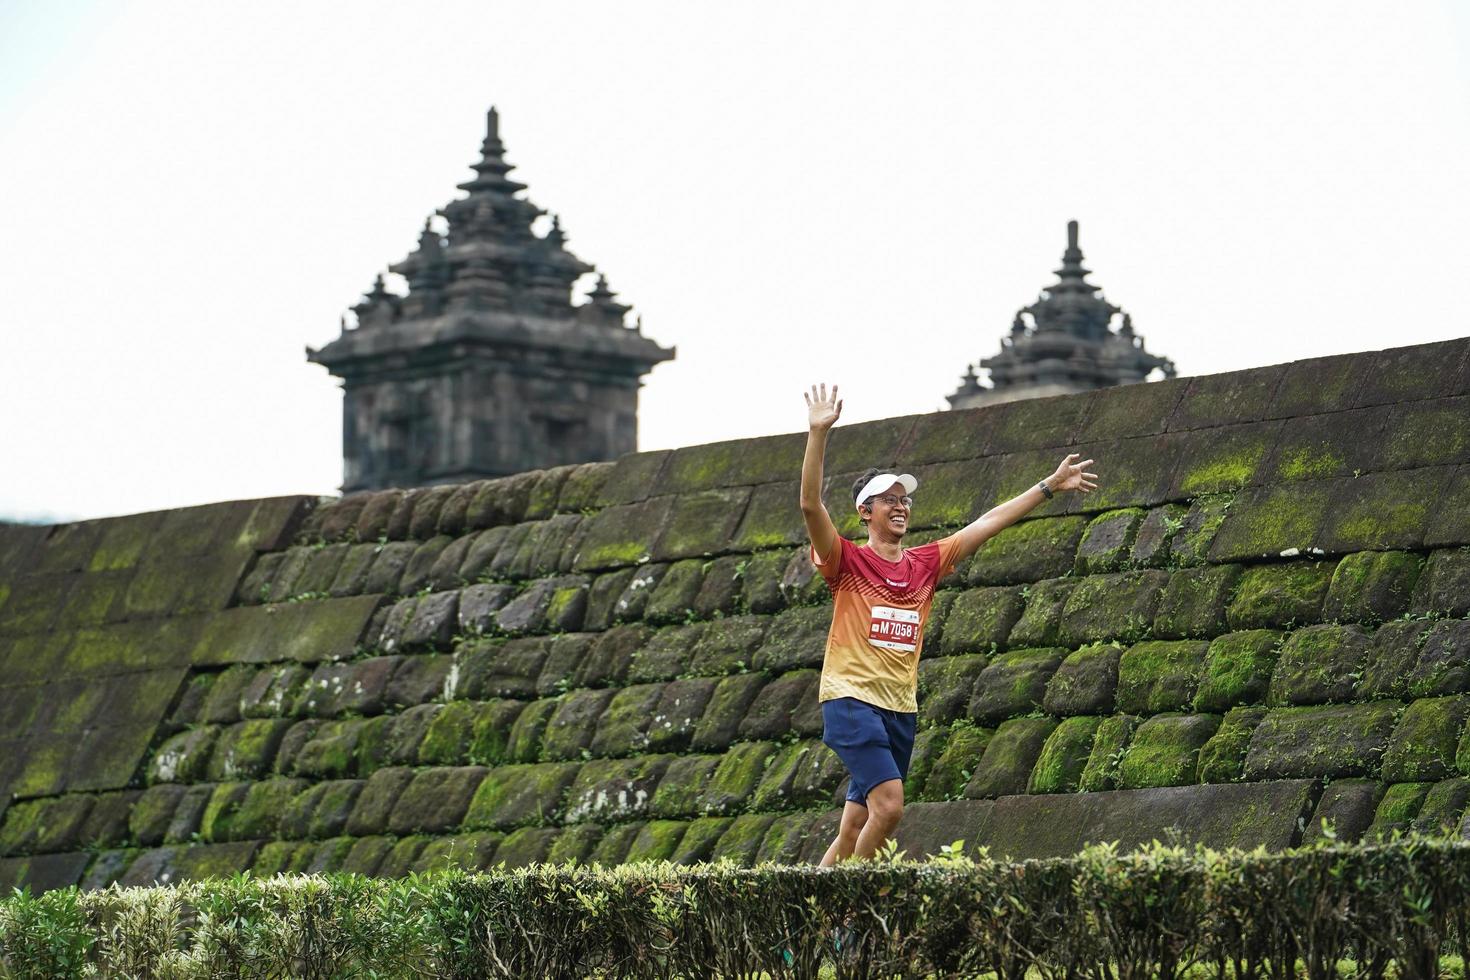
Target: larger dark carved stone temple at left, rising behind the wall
484,367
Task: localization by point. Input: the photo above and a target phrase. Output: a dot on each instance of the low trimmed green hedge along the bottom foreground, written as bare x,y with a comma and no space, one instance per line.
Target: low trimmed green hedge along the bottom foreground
1165,912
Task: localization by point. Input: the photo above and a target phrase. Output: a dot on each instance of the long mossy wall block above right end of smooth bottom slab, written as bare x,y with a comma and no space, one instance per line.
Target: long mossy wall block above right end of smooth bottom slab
1324,741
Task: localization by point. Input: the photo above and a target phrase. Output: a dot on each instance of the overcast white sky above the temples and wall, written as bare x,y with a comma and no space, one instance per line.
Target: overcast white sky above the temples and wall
787,192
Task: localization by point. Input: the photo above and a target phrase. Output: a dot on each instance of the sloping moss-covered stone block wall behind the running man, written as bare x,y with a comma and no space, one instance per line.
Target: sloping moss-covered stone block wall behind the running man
1258,622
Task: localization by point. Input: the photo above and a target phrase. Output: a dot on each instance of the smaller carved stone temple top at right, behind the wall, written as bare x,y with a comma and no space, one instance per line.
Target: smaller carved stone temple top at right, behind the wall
1064,343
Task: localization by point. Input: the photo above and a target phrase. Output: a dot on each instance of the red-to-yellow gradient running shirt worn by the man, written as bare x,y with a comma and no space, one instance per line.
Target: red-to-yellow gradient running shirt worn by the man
880,609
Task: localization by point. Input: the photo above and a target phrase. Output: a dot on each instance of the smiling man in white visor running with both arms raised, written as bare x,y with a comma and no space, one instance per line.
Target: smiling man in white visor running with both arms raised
881,599
